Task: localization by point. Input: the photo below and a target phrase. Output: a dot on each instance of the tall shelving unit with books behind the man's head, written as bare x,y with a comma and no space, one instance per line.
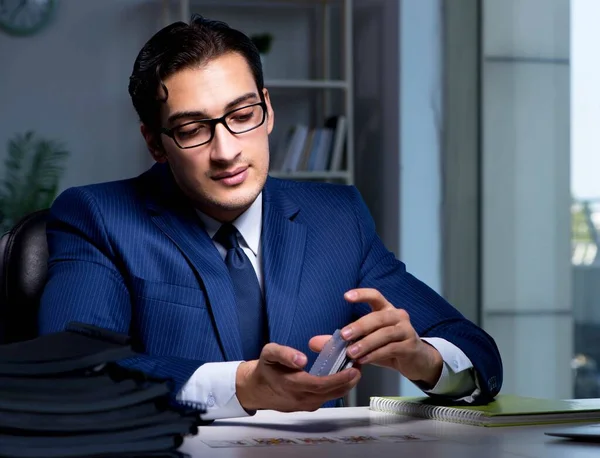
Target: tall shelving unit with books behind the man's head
308,91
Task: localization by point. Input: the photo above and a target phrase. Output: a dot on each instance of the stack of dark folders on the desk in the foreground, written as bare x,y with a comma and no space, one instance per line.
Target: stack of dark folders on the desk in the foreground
64,395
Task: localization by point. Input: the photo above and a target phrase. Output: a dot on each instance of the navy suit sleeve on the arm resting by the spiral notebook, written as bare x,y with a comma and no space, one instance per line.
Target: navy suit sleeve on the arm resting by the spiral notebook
430,314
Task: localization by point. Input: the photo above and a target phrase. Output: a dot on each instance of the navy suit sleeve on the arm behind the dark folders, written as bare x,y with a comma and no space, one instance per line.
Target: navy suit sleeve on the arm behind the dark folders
84,283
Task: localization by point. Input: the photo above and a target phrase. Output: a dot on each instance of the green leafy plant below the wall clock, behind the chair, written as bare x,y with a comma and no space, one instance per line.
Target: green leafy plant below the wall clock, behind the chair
32,171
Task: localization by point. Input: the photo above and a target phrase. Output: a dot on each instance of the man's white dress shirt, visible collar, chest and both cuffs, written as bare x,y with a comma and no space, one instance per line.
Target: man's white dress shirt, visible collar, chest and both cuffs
213,384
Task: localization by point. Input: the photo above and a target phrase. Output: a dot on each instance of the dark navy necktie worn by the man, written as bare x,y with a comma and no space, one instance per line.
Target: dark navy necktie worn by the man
248,295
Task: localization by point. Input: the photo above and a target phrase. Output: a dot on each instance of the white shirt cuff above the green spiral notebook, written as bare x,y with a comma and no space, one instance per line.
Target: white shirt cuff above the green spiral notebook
457,378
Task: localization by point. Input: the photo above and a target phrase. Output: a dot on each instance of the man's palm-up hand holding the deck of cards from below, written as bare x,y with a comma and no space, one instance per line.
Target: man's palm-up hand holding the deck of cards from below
277,381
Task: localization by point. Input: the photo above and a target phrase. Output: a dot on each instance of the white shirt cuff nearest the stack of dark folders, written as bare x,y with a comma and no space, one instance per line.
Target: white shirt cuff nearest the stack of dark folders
212,386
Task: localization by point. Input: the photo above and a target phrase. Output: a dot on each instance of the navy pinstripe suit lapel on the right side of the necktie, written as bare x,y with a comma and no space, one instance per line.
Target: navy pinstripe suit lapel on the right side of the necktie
283,246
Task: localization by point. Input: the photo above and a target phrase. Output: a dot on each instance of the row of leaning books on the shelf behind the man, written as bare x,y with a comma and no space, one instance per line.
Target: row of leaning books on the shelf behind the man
317,149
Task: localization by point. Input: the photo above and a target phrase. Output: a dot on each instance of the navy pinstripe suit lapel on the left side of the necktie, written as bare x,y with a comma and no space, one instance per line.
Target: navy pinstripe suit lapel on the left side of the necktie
180,223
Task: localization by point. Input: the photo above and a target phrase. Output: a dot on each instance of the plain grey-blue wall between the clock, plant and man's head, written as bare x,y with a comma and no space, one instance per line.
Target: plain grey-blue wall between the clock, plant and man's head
69,83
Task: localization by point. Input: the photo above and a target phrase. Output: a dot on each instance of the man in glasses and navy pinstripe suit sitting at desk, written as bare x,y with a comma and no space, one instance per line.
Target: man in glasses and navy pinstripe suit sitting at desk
229,280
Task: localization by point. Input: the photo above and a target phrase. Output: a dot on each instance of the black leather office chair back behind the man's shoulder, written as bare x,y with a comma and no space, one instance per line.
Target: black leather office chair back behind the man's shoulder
23,270
